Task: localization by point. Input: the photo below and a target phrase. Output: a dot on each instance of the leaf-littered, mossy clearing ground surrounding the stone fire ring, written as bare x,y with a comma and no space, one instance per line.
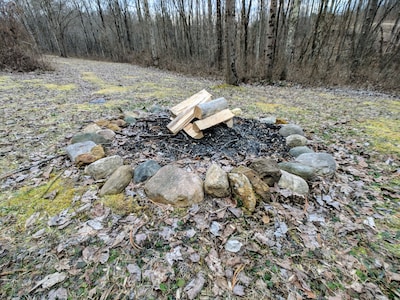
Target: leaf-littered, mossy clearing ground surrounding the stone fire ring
342,243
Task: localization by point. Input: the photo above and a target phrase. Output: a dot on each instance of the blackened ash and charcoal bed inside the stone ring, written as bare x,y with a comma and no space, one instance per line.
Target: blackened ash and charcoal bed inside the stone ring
149,138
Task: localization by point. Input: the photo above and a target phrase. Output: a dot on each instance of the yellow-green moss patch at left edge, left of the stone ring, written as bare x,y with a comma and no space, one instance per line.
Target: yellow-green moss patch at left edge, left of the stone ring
27,200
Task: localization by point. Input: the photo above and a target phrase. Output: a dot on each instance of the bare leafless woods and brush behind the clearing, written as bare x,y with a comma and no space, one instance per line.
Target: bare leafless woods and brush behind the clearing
318,42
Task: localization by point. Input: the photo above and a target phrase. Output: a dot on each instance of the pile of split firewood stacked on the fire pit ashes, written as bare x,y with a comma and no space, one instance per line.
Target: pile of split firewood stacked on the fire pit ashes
200,112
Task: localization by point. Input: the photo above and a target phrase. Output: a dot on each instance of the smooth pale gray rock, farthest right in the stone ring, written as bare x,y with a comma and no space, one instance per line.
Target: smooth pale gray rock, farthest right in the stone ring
323,163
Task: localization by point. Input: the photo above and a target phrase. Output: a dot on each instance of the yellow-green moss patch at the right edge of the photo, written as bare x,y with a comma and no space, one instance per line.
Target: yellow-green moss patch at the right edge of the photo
385,135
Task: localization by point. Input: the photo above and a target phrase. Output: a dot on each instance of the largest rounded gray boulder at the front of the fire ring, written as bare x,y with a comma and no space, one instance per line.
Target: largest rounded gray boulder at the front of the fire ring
175,186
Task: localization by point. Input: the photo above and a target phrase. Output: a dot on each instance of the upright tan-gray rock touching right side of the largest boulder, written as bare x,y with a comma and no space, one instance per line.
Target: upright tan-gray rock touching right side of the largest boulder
216,183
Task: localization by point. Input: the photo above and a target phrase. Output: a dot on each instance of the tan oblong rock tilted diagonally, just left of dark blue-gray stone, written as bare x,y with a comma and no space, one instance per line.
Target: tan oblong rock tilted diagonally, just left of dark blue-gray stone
118,181
